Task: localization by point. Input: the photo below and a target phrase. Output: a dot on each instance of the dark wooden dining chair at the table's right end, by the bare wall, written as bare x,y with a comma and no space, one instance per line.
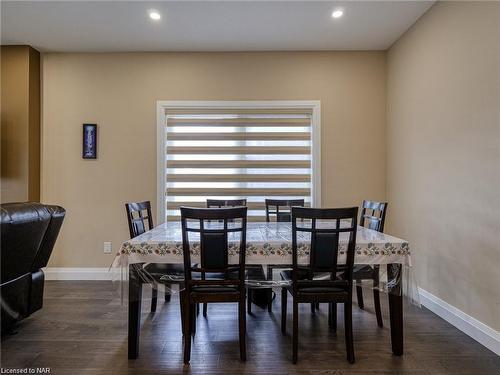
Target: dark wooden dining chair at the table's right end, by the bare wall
372,217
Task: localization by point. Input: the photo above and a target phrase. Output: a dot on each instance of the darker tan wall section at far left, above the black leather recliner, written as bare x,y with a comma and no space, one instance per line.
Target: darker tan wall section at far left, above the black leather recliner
20,119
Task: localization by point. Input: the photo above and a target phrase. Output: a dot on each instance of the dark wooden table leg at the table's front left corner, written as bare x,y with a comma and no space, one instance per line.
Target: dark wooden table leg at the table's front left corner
134,311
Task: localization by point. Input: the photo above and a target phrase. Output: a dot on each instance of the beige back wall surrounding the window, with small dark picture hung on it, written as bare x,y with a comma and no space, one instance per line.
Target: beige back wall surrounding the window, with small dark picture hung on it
119,93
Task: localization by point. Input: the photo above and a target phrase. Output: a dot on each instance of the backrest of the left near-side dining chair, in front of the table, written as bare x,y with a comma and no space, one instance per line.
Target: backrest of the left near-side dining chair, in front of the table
215,230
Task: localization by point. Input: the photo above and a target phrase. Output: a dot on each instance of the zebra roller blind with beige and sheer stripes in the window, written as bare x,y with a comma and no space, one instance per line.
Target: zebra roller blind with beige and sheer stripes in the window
231,154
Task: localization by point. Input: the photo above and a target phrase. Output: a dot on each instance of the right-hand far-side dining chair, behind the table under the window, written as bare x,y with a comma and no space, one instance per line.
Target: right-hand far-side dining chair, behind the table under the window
280,209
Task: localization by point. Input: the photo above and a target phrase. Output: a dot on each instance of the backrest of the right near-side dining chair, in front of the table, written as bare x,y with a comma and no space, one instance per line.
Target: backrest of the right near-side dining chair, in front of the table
325,226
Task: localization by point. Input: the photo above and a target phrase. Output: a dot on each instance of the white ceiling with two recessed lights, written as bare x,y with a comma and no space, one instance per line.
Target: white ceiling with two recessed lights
107,26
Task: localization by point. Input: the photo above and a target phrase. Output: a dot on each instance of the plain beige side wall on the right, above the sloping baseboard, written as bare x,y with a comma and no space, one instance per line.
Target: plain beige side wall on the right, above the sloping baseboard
443,161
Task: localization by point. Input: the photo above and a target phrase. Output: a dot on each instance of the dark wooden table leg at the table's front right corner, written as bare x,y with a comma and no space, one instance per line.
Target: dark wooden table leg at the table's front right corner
396,307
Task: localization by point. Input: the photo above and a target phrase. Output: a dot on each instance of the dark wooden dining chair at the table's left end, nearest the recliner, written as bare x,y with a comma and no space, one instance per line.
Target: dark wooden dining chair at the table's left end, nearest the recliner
140,220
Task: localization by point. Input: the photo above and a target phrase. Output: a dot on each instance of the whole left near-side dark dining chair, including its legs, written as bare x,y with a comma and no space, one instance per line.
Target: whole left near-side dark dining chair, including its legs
214,238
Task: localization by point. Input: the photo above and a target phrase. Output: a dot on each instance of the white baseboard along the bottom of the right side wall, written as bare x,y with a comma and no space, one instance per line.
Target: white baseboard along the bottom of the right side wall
472,327
